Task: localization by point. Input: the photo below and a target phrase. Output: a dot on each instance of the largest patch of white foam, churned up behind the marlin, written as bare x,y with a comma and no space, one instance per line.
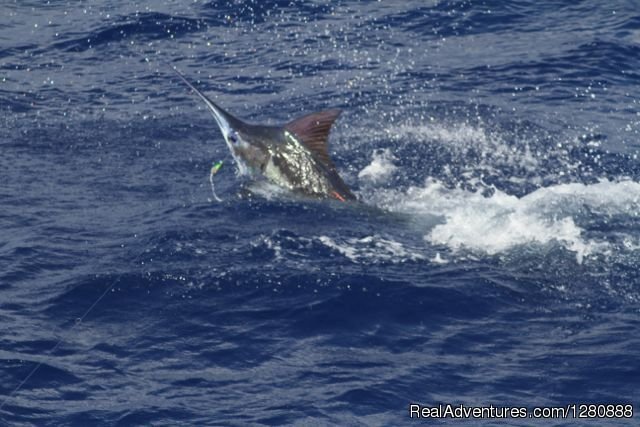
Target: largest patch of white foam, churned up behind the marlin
501,222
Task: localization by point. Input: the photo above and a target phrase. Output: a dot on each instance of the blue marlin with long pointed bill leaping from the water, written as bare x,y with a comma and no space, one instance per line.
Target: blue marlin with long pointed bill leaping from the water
294,156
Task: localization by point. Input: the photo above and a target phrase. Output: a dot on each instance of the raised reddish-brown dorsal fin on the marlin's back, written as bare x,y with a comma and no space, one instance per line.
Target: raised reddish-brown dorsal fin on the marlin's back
313,131
